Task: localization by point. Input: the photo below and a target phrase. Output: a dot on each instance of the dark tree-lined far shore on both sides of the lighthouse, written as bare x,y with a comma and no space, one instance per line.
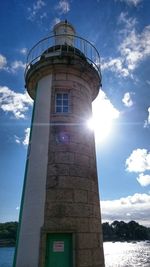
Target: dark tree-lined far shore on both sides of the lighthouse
117,231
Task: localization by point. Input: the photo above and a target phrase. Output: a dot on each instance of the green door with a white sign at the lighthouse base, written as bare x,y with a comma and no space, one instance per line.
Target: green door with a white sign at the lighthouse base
59,250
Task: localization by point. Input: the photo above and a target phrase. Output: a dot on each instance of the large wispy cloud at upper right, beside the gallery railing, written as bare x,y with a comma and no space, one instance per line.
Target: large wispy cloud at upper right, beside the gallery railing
134,48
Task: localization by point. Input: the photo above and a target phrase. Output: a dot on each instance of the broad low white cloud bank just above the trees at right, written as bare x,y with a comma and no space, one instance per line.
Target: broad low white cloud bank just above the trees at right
135,207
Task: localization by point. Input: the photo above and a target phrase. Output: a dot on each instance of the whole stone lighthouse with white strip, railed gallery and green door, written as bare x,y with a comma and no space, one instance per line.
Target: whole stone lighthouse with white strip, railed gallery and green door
60,222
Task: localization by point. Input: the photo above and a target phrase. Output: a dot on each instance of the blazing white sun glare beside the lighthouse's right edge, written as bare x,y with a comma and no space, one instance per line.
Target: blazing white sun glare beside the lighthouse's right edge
104,113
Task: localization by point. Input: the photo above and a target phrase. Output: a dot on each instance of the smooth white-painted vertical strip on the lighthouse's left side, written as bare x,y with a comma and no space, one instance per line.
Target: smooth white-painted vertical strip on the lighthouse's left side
34,198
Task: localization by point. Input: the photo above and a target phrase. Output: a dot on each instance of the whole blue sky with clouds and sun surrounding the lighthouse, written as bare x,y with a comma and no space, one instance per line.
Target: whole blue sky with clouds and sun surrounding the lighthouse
120,30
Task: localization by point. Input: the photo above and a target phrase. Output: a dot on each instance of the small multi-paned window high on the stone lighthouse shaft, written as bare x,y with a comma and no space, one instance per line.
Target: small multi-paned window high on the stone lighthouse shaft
62,103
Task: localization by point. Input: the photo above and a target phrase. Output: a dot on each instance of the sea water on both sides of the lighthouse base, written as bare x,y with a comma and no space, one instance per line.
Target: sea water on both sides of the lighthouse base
117,254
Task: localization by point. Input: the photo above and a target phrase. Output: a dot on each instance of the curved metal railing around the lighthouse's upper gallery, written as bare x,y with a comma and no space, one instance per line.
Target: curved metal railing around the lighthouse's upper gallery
48,44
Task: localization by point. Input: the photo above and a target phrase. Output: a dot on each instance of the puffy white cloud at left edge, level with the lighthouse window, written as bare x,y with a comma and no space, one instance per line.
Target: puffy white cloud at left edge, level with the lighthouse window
14,103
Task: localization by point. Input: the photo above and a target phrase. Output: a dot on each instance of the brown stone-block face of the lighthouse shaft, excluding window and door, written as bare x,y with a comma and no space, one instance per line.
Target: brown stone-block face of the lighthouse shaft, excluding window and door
72,199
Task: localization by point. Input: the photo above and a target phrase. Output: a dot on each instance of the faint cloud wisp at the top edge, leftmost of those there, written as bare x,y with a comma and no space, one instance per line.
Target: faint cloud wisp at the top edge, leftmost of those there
37,6
